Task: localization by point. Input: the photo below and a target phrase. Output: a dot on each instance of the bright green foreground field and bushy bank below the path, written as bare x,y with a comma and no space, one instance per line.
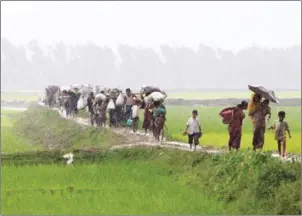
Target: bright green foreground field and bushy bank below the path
149,181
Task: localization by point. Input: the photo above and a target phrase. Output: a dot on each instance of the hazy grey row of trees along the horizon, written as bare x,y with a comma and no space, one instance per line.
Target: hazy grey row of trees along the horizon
31,67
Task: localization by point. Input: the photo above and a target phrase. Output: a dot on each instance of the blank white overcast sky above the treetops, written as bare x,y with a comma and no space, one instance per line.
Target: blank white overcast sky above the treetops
229,25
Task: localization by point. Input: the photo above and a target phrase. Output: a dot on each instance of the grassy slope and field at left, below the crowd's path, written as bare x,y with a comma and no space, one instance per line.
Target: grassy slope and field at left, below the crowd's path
41,128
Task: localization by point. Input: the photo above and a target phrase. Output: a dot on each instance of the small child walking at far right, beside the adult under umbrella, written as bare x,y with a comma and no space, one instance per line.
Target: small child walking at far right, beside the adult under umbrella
281,127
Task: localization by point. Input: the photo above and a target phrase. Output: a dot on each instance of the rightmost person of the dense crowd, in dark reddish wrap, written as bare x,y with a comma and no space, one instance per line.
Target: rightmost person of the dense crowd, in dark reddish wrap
159,118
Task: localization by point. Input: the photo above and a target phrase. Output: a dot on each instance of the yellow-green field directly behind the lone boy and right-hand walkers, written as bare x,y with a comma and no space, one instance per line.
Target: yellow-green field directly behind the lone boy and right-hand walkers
216,133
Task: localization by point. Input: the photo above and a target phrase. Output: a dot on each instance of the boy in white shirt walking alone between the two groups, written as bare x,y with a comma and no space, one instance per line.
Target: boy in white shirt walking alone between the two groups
193,130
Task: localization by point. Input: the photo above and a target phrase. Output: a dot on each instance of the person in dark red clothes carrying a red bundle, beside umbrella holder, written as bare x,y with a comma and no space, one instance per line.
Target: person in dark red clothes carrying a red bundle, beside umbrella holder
233,116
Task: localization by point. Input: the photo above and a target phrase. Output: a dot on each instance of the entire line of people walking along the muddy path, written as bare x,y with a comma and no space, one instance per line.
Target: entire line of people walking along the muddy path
124,109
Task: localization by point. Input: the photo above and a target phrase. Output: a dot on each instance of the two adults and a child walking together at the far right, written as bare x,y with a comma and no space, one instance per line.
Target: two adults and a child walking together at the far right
259,112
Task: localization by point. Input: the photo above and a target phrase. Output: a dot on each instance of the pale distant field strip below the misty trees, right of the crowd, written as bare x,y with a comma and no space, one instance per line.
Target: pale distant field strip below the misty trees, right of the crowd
226,94
